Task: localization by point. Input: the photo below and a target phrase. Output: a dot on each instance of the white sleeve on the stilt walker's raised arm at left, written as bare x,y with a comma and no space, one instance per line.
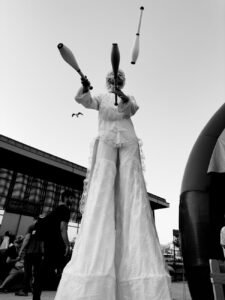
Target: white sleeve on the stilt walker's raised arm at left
87,100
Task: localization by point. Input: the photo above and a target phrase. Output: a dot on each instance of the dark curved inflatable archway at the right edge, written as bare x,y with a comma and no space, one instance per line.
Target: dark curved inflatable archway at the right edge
201,210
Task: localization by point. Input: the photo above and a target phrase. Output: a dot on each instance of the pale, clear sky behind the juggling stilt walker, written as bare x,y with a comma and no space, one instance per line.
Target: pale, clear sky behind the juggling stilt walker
178,80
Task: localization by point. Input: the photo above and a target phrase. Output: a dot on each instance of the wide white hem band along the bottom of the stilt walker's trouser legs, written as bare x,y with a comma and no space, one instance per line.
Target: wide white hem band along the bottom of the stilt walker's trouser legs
104,287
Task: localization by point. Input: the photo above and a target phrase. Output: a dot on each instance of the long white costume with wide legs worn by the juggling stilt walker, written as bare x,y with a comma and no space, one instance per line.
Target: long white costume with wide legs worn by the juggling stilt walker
117,254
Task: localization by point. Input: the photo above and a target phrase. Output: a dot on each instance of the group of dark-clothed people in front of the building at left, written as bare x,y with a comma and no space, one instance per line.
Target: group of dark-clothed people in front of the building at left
35,261
